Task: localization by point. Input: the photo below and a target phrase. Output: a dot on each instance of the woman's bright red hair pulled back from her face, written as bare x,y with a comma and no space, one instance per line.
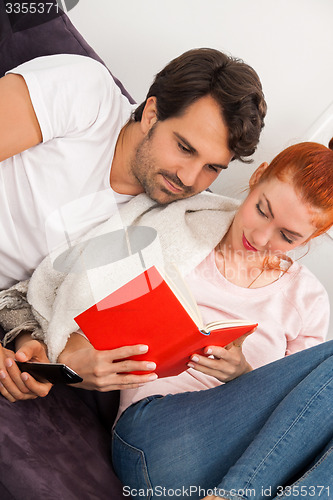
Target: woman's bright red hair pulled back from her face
309,167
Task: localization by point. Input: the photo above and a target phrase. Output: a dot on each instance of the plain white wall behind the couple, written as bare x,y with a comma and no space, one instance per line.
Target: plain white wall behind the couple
288,42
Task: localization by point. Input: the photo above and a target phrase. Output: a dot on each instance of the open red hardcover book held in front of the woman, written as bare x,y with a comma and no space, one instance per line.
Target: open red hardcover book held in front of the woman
153,310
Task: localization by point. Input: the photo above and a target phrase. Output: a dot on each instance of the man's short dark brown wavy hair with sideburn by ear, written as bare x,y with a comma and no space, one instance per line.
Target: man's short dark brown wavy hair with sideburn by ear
232,83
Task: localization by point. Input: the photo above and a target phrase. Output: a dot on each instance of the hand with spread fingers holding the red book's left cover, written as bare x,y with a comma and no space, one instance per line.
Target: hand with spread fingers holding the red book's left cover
106,370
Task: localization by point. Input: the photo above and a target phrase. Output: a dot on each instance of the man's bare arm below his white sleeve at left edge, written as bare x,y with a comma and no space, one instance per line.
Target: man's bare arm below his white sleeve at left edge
19,127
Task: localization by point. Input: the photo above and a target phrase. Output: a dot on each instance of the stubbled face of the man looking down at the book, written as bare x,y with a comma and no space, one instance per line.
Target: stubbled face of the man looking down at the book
180,157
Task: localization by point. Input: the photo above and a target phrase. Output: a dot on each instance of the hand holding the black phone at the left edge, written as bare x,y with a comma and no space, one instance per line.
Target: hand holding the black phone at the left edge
17,386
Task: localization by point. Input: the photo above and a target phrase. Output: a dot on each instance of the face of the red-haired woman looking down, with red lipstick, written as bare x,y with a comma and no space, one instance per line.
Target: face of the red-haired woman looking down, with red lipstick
272,219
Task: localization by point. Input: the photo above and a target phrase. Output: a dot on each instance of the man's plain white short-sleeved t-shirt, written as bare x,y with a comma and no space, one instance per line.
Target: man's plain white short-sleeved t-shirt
55,191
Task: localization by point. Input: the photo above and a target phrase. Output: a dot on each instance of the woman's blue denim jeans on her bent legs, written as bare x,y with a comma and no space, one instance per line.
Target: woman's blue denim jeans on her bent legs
247,439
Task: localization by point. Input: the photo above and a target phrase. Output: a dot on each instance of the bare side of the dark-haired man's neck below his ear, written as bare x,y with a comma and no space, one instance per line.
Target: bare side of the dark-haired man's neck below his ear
121,178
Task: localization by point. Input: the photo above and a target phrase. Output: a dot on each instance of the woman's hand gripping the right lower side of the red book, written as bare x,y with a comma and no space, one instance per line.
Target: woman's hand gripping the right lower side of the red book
228,363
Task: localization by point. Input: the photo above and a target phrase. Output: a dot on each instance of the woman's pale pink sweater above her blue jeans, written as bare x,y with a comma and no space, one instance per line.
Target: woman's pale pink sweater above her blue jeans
292,312
